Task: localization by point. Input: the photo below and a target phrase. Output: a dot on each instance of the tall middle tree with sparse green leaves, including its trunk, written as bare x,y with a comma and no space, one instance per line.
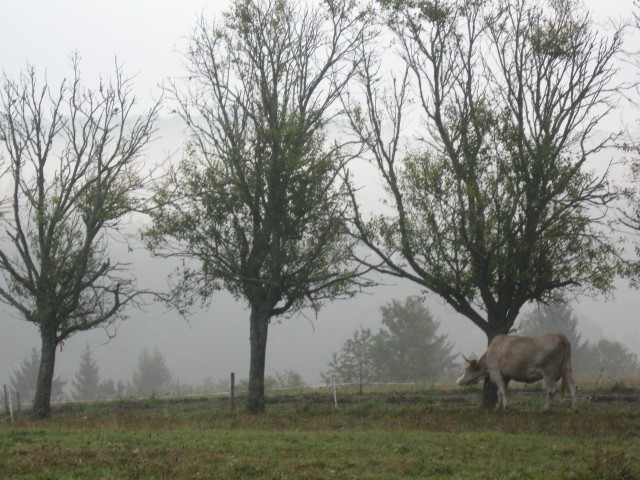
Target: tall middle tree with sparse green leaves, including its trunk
255,206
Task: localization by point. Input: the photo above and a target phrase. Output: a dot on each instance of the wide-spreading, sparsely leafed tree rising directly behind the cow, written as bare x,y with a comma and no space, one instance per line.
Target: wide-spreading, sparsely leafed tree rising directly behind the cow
495,200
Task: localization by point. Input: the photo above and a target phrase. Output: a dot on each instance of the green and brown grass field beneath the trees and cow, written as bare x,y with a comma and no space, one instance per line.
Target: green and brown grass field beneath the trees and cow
428,433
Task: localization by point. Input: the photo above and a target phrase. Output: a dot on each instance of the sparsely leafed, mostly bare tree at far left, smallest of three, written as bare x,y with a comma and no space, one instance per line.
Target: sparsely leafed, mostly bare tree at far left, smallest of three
73,170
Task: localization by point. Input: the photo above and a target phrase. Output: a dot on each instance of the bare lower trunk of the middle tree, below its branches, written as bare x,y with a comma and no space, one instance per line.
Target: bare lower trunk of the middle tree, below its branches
258,340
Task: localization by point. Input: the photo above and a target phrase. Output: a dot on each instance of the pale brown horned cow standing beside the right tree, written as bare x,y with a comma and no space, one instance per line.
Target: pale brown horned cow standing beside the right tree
524,359
